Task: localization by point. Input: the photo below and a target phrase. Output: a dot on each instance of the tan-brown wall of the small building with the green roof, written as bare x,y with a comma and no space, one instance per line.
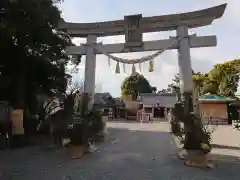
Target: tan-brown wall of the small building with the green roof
218,112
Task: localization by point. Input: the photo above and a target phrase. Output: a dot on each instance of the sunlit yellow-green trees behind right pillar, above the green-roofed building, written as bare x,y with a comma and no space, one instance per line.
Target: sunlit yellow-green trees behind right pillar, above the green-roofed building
222,79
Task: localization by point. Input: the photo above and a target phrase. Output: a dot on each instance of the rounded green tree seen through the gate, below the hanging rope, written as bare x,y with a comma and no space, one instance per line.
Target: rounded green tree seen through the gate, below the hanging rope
133,85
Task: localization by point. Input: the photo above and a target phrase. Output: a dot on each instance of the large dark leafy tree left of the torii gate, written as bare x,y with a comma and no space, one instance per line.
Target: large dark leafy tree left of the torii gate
31,48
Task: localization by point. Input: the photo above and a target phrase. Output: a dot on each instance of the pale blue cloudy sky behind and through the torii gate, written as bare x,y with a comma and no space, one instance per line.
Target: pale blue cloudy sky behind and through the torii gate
227,30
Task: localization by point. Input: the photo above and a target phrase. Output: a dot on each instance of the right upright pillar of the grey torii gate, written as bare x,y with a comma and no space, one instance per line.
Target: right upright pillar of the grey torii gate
185,68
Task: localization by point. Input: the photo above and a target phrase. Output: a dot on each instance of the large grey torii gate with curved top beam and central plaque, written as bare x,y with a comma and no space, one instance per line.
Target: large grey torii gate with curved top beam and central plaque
133,27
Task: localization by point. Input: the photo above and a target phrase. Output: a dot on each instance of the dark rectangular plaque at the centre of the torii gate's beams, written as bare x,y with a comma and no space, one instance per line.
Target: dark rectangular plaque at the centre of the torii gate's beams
133,34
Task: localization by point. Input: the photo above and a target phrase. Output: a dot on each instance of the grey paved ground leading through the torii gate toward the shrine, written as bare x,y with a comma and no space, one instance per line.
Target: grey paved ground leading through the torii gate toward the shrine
133,151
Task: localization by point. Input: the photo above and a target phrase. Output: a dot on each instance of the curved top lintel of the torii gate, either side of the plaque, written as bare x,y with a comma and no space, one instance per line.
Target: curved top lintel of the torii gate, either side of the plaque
147,24
